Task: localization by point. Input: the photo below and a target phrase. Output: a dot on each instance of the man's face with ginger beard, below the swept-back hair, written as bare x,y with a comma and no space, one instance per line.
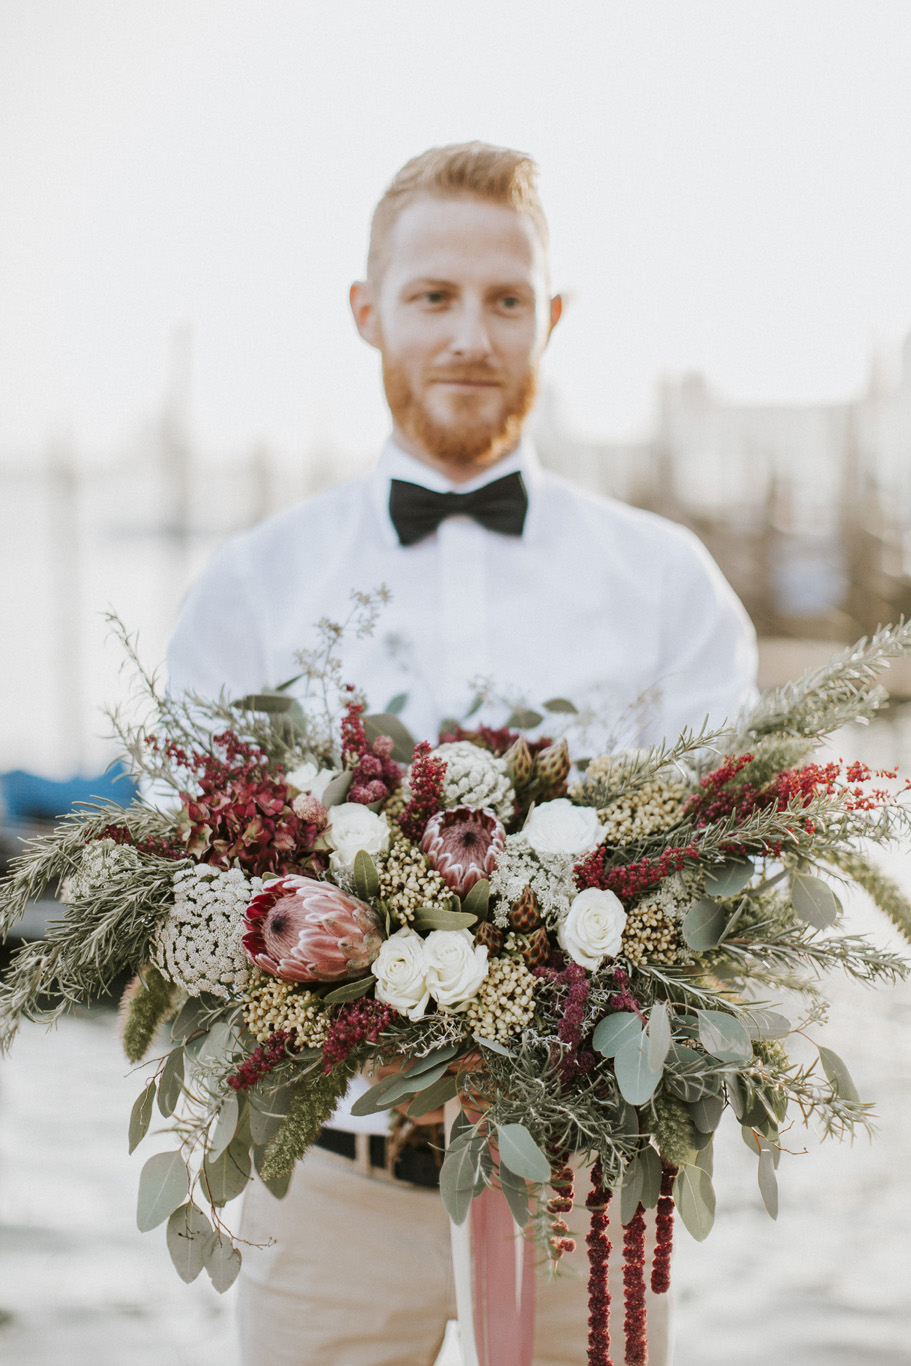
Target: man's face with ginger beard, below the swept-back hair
461,316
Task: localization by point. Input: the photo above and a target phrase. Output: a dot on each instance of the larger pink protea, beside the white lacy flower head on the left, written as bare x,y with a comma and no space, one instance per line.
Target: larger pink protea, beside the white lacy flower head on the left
304,931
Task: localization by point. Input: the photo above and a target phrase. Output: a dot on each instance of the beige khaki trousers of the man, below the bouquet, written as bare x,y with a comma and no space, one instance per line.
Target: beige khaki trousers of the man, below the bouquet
359,1274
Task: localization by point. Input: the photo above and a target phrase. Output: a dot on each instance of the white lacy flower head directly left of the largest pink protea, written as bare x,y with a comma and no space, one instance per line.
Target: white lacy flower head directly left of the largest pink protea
199,946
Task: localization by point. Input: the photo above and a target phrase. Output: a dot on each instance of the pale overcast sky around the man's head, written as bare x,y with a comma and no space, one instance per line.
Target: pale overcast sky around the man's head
727,186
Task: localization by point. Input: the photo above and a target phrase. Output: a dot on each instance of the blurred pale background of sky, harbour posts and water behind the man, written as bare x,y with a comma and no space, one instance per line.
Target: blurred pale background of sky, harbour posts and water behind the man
188,188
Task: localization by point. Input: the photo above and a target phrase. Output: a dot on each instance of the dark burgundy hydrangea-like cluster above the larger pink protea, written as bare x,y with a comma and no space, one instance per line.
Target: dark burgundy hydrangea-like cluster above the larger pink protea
241,815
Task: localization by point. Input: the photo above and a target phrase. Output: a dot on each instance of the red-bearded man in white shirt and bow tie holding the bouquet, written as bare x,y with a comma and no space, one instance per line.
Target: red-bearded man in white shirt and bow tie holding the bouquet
527,583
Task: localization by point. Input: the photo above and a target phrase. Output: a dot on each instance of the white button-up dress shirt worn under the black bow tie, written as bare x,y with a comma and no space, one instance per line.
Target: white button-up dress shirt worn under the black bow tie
596,602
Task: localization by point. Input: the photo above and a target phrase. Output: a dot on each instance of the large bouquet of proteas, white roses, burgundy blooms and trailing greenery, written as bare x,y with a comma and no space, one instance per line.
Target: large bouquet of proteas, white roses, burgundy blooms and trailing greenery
588,960
